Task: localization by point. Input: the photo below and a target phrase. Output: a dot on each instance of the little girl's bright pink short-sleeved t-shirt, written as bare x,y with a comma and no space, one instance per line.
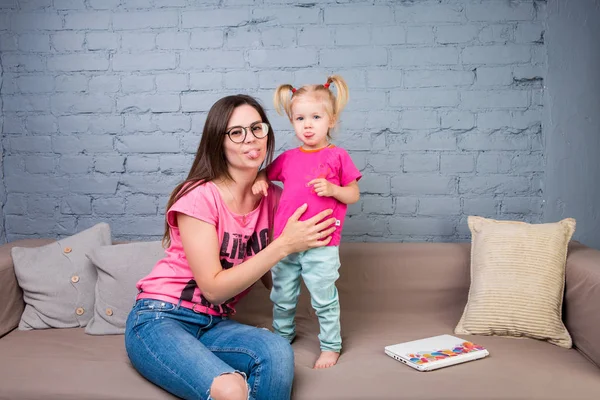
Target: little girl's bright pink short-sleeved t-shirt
295,168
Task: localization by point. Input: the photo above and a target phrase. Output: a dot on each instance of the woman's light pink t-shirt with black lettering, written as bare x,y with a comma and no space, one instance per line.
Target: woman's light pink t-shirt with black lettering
239,239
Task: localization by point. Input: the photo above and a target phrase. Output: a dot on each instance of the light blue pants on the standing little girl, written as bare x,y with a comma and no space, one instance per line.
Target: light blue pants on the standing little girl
318,268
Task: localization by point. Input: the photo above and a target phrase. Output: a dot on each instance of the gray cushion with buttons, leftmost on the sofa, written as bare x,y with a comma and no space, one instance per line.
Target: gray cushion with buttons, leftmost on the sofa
58,280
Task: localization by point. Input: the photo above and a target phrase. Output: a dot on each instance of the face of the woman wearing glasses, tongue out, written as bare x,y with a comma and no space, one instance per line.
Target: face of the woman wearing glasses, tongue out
251,152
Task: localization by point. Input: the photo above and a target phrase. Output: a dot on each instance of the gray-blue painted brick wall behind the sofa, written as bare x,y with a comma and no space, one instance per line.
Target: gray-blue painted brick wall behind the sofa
104,101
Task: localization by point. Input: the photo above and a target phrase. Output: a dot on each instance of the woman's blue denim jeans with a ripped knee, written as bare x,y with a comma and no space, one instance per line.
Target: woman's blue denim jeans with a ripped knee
183,351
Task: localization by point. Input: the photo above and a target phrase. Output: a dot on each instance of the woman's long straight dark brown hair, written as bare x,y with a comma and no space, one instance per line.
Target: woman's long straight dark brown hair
210,163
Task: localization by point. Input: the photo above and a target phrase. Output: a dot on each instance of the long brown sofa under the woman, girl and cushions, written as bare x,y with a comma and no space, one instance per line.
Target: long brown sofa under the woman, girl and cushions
389,293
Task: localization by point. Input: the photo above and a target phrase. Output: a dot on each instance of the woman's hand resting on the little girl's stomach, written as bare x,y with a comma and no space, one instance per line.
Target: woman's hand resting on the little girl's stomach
303,235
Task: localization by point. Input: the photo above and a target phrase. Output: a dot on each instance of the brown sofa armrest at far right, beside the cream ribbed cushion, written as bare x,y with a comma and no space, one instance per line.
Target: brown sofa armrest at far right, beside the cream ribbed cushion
582,300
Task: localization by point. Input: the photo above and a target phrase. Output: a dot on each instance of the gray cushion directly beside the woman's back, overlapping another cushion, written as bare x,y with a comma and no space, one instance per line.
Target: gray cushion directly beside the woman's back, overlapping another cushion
119,268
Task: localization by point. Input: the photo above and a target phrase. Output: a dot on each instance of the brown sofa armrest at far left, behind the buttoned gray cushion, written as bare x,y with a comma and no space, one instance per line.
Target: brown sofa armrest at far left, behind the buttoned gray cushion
11,296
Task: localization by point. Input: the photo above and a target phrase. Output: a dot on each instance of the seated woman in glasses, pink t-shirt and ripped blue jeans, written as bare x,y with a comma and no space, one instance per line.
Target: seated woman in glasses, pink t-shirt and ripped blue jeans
217,232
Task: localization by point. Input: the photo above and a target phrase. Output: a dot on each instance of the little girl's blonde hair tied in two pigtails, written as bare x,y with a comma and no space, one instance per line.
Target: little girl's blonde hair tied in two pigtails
334,104
